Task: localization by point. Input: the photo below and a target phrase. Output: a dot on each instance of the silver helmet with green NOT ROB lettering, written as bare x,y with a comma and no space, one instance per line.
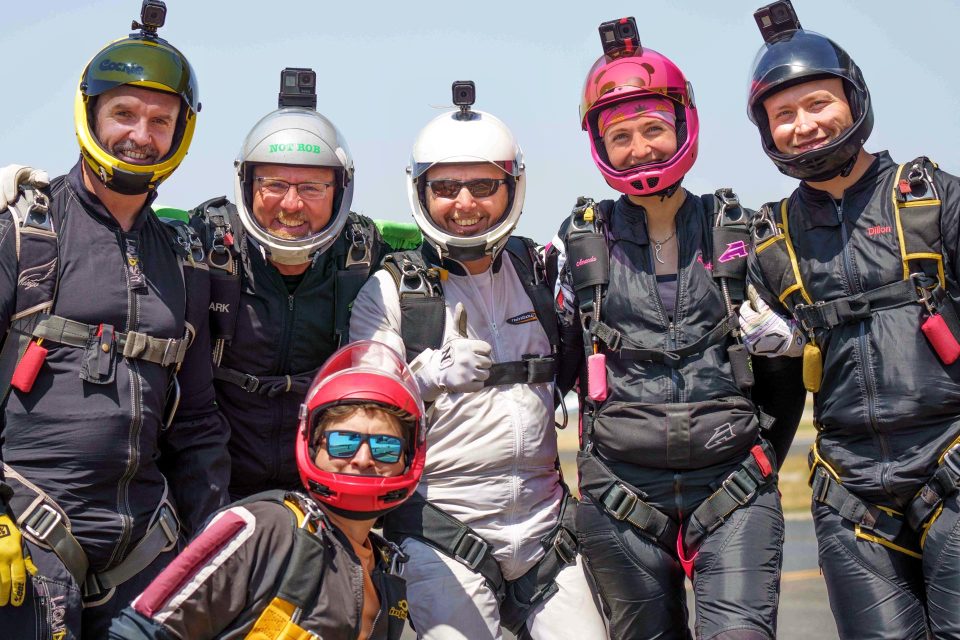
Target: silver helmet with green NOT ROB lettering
294,136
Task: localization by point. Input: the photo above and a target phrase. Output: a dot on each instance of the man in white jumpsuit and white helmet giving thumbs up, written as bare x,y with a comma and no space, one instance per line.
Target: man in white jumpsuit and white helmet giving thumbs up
490,534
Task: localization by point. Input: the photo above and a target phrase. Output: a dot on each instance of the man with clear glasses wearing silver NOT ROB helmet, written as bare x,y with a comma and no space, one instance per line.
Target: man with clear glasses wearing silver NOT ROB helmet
286,261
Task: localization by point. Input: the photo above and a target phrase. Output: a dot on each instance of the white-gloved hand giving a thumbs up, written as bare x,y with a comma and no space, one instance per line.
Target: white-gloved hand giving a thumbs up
459,366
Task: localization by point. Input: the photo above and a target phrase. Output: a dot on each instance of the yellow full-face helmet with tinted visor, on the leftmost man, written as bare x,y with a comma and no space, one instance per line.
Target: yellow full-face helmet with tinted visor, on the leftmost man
141,60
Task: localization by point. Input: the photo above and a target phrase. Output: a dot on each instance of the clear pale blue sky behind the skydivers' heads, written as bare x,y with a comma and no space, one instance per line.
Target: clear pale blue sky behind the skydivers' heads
384,70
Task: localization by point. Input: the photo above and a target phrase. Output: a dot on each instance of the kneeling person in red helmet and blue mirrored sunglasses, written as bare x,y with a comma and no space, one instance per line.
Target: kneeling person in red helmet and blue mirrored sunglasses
297,564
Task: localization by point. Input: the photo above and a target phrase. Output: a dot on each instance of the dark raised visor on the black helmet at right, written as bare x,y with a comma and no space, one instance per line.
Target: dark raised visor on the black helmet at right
797,56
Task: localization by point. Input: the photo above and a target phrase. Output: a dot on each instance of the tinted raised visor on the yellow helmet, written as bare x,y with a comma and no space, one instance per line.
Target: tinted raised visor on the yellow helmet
143,64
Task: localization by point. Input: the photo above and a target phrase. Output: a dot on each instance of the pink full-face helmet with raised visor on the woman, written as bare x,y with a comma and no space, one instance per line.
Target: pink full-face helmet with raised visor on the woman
637,73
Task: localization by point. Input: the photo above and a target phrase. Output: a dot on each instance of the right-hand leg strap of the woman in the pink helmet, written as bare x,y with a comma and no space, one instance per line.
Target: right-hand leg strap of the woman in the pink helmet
739,488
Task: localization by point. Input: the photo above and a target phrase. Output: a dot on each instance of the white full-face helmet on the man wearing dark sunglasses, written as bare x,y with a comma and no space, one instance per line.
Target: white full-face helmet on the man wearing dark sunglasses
466,136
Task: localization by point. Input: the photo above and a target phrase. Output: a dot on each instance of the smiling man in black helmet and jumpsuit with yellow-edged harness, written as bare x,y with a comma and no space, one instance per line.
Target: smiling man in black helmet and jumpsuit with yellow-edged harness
862,258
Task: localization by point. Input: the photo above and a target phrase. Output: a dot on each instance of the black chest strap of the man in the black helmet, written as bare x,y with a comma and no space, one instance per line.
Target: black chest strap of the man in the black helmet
827,315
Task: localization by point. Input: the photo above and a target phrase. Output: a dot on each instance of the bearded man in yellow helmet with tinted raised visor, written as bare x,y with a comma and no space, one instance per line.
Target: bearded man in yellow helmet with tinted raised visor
105,320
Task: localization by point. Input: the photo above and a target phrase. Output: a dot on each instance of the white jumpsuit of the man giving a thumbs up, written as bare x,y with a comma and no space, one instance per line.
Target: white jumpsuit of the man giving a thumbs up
490,463
